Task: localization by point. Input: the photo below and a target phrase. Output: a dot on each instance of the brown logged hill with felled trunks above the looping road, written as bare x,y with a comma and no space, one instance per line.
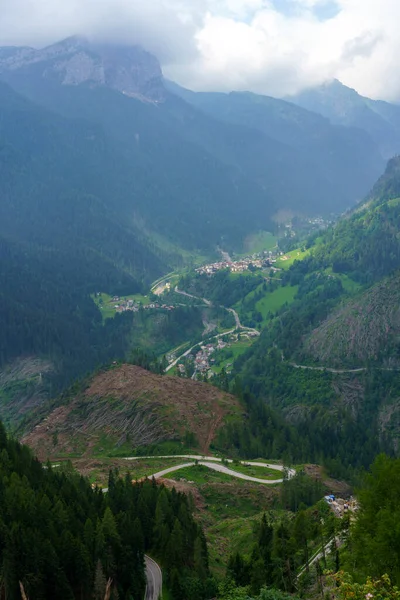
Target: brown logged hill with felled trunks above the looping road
127,408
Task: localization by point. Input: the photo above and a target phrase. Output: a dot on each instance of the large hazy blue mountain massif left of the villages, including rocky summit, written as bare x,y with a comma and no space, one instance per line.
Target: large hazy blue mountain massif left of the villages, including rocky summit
110,180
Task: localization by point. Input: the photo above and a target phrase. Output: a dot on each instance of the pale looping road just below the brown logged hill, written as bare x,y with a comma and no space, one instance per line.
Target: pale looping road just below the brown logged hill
214,463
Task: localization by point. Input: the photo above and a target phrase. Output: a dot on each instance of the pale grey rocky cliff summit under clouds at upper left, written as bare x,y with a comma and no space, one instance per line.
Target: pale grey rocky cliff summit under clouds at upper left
127,69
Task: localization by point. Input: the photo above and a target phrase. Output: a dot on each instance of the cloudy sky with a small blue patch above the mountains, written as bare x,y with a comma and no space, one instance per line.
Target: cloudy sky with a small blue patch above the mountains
276,47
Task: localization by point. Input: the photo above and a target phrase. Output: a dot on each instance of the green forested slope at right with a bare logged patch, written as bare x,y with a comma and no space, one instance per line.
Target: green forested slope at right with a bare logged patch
330,360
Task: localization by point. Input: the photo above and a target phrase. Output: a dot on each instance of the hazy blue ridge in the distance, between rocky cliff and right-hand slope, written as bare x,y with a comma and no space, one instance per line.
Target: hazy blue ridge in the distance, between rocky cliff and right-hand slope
344,161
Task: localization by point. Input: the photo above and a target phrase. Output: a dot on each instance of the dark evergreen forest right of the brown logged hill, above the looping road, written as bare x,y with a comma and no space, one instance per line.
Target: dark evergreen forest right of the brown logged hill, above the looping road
321,435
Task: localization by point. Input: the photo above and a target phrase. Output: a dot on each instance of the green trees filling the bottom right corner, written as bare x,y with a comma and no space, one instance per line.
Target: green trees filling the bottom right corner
365,563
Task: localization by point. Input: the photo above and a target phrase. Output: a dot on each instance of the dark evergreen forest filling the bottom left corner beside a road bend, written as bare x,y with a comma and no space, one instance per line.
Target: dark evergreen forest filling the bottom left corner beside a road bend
62,539
